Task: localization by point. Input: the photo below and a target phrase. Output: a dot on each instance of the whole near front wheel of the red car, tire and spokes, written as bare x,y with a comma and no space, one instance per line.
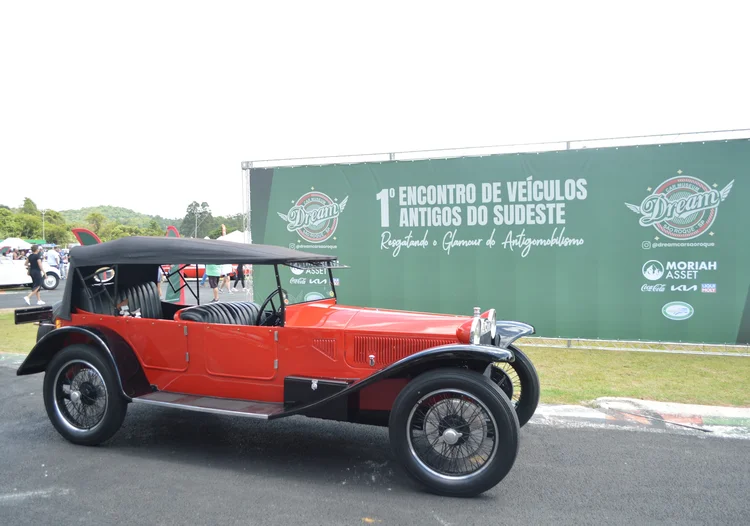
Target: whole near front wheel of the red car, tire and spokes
454,431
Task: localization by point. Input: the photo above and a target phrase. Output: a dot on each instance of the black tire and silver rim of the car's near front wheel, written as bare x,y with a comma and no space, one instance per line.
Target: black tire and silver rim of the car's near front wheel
497,411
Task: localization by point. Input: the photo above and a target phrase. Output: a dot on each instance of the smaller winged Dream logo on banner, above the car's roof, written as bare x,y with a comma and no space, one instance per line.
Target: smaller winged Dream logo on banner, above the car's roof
314,216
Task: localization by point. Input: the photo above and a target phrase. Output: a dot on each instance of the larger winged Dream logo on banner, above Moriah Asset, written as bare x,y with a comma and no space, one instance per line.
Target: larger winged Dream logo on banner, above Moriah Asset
682,207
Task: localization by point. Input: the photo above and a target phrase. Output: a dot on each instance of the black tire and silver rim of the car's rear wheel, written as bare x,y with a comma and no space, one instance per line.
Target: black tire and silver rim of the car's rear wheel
115,405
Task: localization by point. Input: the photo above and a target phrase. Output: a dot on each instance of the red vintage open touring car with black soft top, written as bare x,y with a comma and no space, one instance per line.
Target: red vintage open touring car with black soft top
453,390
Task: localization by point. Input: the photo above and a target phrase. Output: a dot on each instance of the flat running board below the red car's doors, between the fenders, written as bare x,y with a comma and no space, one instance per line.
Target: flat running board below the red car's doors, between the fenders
210,404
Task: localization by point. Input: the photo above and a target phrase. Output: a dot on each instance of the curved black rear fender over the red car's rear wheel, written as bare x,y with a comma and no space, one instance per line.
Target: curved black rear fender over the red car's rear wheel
130,375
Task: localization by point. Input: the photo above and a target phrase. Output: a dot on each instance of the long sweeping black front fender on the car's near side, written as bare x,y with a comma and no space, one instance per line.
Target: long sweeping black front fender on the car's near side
476,357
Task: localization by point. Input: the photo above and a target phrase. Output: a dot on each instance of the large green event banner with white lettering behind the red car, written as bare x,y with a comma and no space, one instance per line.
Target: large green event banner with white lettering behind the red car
633,243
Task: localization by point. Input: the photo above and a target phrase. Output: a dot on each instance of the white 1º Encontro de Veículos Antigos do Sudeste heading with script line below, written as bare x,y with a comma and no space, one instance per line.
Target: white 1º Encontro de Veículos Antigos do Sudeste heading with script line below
458,210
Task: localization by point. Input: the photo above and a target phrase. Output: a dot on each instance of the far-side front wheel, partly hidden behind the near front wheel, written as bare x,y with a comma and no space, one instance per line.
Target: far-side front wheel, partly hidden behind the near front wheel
520,382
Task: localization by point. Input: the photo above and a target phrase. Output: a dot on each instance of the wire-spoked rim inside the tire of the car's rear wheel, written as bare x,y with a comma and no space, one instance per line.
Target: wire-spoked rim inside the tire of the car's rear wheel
80,395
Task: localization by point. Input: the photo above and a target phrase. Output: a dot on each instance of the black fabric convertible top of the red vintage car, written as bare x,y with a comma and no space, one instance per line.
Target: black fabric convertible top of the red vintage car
183,250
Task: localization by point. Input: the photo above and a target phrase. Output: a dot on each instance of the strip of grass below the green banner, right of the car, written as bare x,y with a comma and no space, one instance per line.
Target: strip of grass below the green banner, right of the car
571,376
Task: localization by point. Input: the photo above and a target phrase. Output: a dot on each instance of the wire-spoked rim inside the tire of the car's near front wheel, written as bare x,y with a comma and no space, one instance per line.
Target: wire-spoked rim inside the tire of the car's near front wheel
452,434
